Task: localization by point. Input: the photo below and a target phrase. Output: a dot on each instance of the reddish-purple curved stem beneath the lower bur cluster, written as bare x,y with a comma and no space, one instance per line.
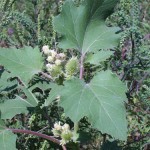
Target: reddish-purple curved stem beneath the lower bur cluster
50,138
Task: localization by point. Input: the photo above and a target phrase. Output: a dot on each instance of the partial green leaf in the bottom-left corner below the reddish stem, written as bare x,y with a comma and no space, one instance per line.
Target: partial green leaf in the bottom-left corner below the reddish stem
7,138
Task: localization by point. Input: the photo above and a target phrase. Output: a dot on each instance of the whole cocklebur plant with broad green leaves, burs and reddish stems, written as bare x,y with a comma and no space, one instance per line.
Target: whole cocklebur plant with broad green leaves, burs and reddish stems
101,100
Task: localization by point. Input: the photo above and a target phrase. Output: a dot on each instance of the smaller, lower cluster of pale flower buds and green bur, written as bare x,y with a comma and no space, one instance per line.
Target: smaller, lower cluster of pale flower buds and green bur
63,132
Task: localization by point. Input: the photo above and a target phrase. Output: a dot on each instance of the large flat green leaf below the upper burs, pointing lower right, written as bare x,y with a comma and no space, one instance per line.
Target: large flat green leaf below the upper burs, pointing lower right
101,100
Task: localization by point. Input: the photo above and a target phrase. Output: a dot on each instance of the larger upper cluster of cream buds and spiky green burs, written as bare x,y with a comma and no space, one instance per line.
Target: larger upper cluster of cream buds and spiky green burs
58,65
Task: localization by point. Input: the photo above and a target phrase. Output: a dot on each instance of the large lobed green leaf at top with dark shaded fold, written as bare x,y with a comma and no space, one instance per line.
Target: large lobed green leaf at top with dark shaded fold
83,27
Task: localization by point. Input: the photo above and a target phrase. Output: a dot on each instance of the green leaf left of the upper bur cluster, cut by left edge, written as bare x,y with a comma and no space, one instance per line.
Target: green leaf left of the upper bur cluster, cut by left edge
23,63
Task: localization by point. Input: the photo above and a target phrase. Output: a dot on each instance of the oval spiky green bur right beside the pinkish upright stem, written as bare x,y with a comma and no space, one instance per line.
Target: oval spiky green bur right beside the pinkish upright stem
72,66
